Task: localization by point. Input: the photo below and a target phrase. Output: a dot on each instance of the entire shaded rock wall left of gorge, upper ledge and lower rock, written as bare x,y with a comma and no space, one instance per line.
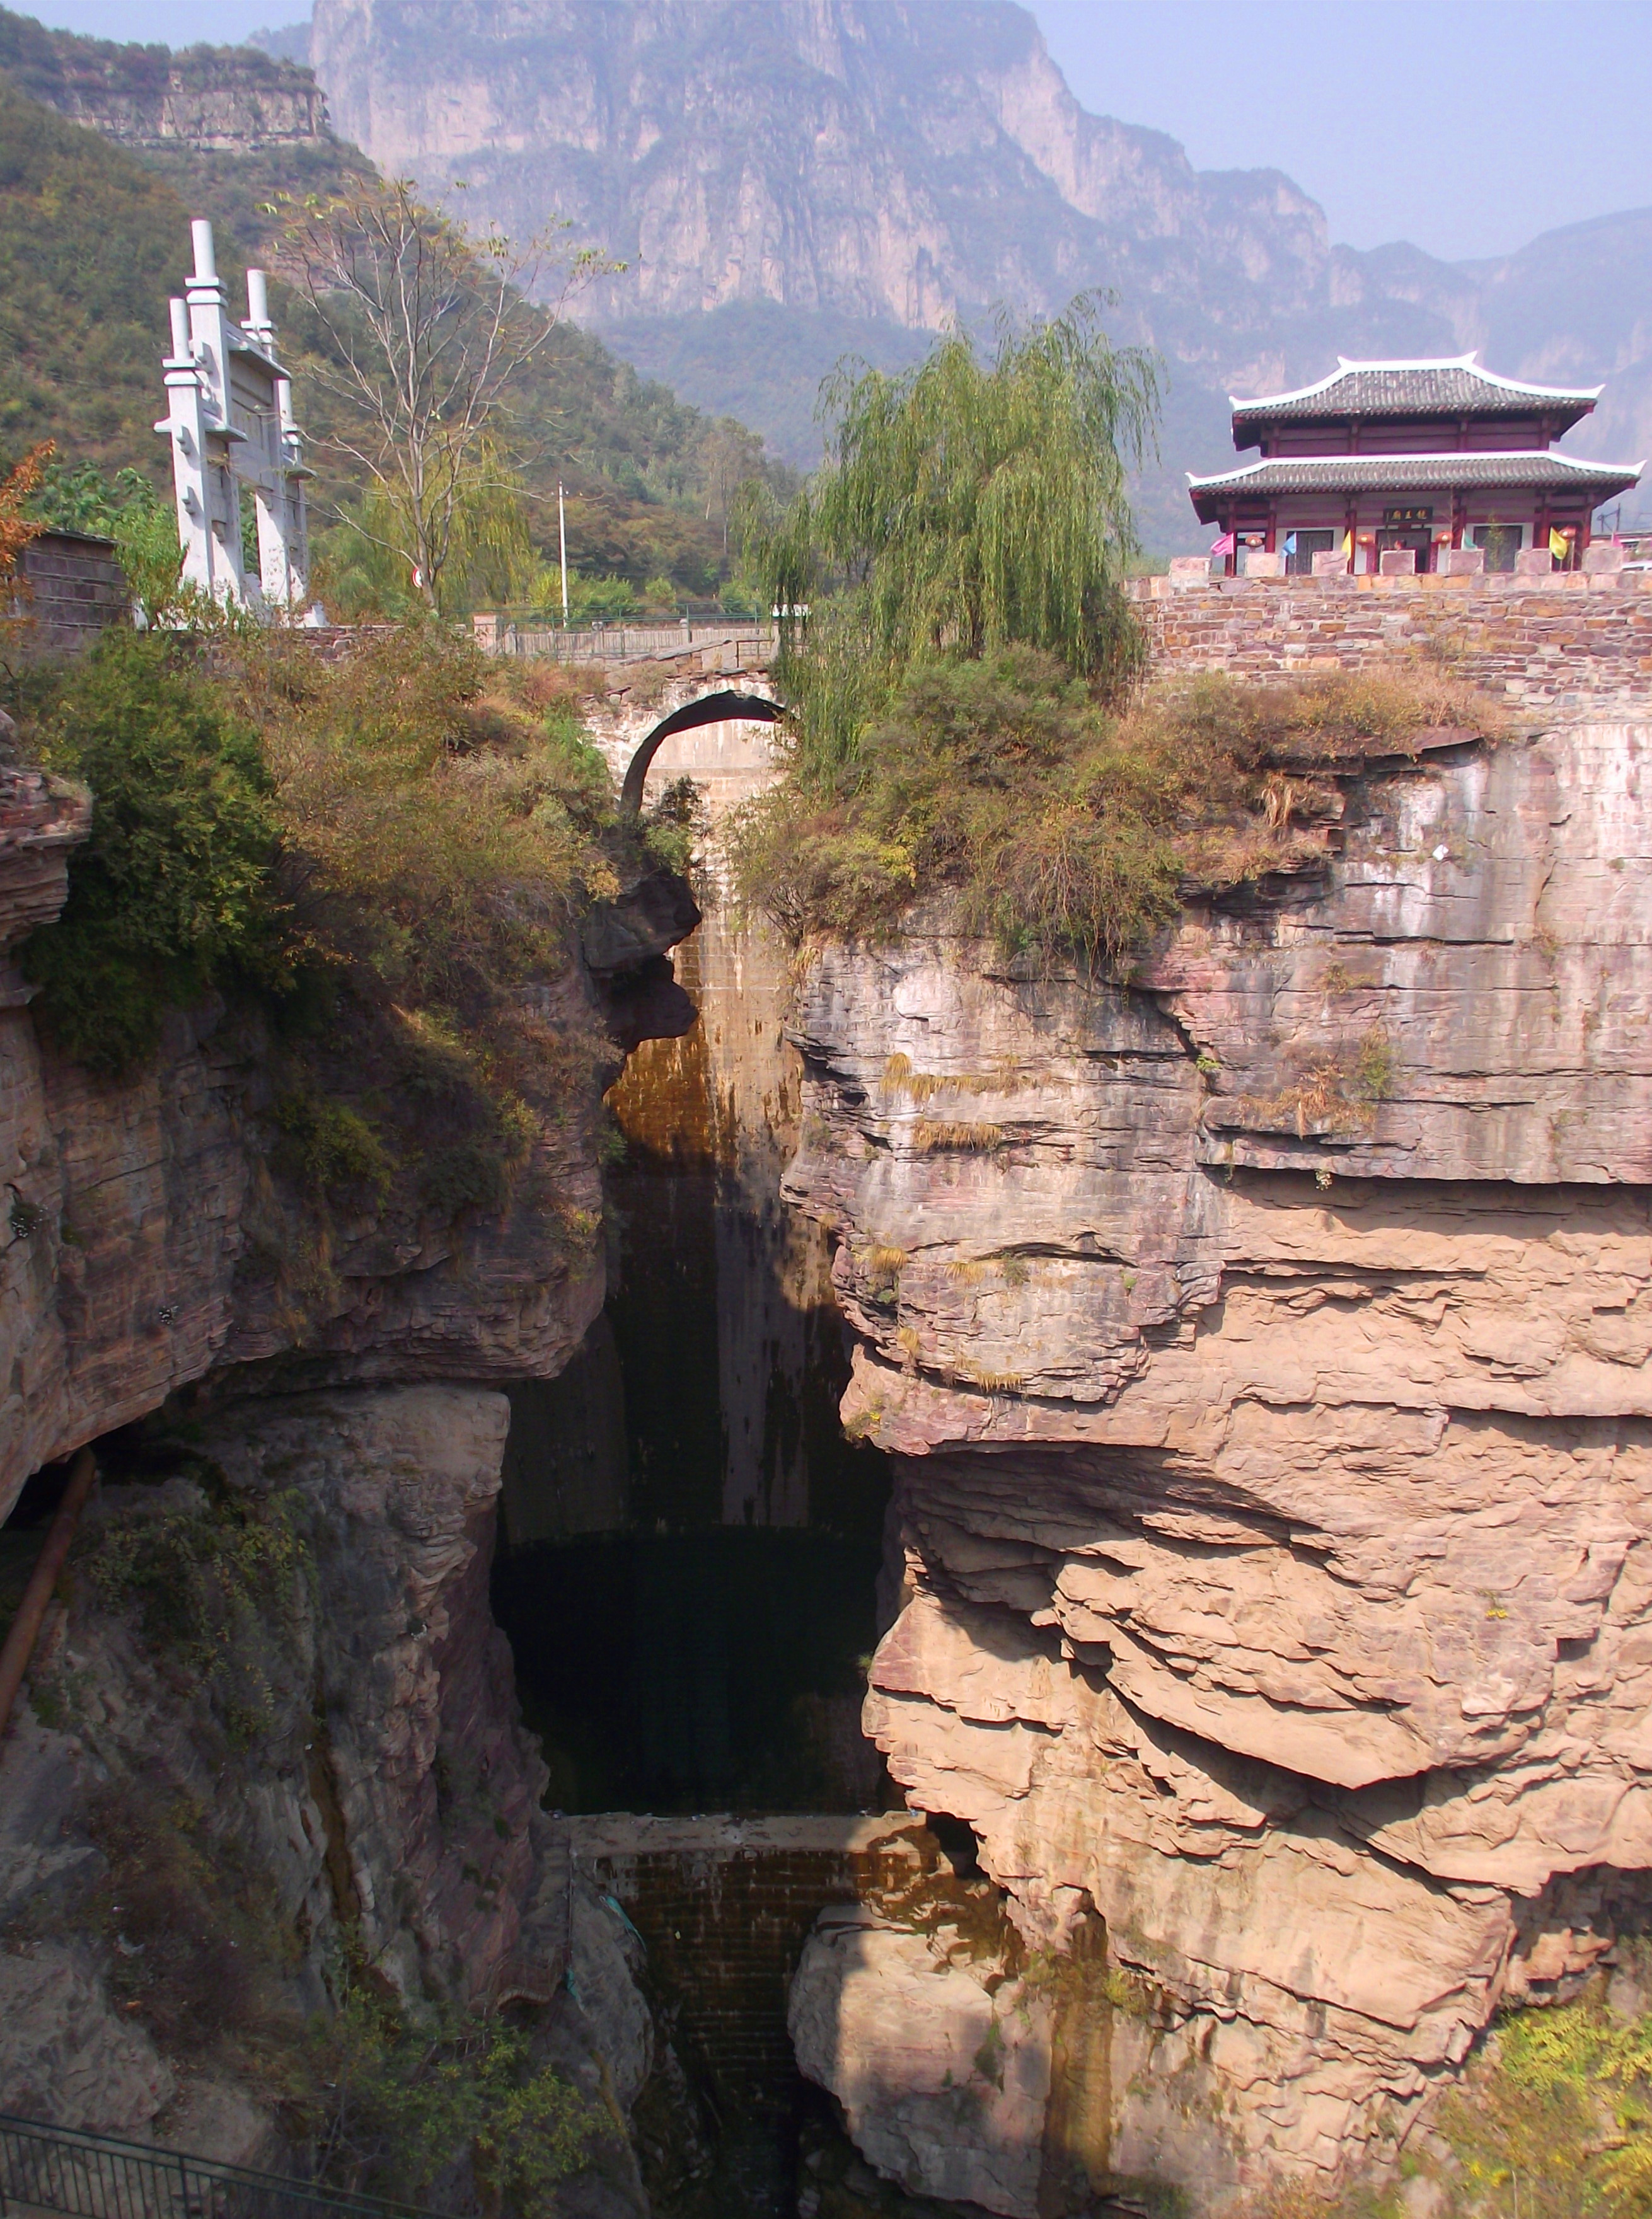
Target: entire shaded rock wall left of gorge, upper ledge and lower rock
274,1741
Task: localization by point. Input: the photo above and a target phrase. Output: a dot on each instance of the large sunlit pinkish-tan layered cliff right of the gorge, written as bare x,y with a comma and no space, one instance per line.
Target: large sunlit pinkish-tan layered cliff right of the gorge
1267,1357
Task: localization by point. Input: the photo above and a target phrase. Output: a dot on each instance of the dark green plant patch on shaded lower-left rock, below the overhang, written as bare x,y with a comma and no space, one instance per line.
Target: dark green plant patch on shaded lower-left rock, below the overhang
208,1577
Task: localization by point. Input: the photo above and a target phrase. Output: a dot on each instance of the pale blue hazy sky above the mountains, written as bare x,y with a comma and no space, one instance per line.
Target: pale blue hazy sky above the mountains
1464,125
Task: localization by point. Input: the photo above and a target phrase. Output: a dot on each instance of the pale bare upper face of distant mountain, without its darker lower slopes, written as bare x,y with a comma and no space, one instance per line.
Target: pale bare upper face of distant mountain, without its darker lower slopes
883,161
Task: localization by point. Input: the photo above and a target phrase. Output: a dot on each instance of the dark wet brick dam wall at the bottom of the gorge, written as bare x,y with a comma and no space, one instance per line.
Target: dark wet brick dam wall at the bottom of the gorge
727,1907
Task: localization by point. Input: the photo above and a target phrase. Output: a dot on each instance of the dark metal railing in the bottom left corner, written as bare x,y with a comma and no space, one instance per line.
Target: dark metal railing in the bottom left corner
57,2169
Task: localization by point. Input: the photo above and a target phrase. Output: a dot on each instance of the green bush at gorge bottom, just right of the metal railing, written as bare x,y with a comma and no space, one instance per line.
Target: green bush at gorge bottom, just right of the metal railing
416,2096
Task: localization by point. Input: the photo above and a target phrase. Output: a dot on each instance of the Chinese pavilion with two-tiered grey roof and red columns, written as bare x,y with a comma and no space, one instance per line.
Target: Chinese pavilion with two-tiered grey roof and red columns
1409,456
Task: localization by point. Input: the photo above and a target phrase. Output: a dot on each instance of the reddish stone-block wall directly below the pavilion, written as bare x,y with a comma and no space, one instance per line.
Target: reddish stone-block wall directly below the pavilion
1558,647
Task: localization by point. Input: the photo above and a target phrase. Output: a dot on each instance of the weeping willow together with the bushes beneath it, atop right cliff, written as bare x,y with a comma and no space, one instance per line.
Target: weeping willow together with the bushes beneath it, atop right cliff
958,658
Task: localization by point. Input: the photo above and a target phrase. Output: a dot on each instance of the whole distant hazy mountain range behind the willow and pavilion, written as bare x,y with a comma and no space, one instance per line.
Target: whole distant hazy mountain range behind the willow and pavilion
818,176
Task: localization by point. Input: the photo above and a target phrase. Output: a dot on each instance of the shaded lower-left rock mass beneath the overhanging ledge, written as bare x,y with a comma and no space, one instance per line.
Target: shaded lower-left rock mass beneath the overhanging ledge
347,1765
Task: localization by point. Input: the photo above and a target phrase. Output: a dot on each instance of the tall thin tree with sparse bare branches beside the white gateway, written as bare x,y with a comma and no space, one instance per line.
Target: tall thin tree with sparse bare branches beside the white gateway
425,330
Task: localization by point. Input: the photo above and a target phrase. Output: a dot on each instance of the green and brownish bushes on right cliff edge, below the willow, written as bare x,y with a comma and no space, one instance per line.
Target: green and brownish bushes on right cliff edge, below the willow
1060,824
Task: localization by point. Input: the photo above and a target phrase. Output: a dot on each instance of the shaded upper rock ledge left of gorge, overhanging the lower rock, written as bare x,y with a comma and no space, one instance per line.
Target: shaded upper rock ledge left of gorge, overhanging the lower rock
152,1239
